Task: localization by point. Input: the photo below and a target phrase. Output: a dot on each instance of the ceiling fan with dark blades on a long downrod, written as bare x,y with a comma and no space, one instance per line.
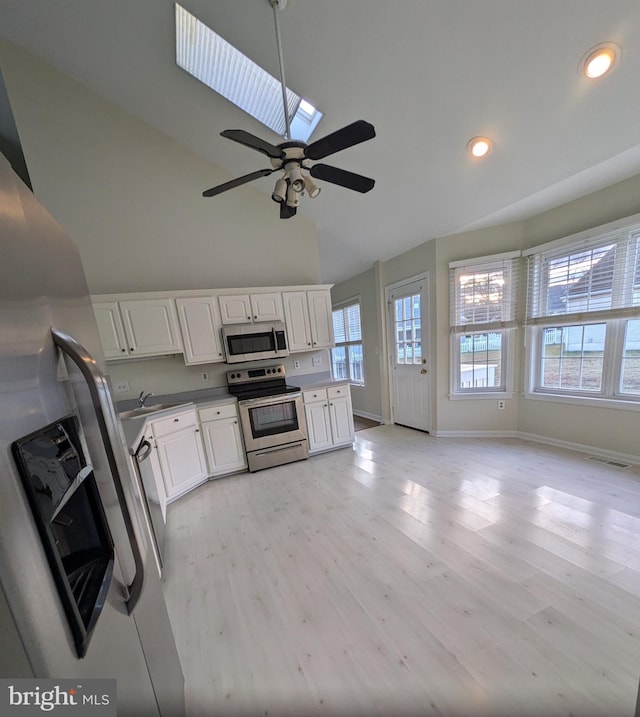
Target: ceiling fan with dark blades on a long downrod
293,158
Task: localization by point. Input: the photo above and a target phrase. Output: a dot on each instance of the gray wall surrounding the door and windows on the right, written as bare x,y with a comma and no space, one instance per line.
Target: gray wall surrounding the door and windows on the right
609,429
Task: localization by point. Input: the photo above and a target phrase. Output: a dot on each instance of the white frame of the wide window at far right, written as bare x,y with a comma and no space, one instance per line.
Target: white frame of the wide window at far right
614,319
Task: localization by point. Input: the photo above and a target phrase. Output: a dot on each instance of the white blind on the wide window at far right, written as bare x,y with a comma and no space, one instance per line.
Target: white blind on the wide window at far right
586,281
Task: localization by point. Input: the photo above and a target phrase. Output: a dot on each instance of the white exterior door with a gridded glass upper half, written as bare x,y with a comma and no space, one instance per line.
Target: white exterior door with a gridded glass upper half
410,383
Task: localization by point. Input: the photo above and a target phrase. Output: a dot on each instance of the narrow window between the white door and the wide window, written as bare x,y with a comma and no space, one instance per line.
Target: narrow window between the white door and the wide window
483,296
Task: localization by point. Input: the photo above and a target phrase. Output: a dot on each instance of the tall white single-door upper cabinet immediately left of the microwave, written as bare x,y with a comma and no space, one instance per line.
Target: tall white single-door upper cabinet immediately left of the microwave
200,323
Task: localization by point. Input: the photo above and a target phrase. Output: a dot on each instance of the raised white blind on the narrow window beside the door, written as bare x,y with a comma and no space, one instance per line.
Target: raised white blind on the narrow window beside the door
483,293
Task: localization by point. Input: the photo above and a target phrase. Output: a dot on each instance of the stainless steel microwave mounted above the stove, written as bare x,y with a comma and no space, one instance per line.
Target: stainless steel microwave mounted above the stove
252,342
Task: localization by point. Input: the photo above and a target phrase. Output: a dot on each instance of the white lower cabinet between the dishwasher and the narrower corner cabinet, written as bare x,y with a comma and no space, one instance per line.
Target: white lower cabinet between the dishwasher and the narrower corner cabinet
180,452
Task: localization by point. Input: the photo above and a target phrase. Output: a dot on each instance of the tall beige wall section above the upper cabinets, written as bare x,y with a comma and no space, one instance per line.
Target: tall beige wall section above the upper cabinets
132,200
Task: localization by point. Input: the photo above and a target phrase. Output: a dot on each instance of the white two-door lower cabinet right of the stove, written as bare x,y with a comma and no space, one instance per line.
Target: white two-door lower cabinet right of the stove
329,417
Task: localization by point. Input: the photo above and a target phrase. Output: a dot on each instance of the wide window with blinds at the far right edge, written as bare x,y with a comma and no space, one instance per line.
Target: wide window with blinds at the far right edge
583,297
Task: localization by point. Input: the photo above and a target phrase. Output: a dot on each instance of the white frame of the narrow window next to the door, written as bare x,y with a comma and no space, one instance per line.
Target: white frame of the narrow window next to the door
506,328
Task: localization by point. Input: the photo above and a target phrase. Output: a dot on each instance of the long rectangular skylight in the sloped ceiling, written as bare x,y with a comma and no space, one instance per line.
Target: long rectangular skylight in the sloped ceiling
212,60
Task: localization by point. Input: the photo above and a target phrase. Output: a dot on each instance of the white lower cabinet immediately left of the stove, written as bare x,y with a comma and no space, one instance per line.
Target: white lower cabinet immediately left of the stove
222,438
